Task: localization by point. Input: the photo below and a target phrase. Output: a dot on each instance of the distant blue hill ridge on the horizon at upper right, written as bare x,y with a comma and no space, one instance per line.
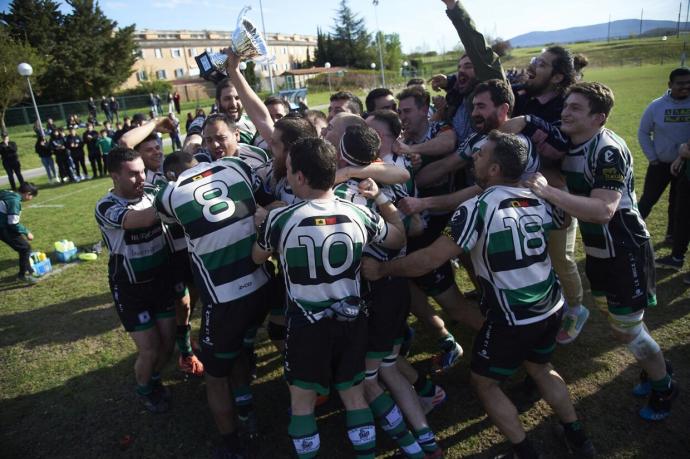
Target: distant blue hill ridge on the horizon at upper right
624,28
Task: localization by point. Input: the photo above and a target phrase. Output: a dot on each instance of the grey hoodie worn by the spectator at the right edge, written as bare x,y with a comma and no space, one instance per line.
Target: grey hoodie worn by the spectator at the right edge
665,124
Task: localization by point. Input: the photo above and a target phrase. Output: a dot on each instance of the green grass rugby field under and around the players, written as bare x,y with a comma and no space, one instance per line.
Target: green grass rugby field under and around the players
66,386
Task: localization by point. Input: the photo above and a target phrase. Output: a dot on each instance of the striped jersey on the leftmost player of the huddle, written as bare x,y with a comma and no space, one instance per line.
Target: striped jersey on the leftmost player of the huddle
136,255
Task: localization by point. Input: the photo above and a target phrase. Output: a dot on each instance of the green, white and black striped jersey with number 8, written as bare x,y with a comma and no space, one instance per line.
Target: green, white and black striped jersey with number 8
215,205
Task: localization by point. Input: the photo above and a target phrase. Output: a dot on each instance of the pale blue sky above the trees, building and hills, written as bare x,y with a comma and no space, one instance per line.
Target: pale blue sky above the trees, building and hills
422,24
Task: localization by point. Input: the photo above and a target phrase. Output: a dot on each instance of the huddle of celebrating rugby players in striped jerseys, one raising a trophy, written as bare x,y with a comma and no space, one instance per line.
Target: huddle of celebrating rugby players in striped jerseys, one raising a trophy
345,226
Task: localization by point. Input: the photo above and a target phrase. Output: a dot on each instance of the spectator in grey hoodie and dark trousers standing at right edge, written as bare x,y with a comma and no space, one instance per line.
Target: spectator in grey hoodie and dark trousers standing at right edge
664,126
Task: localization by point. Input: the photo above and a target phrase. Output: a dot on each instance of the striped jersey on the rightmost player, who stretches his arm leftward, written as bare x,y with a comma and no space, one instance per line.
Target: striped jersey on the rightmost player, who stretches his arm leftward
605,162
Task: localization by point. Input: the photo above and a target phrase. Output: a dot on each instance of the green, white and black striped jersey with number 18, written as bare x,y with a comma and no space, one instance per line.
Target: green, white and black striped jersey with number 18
503,229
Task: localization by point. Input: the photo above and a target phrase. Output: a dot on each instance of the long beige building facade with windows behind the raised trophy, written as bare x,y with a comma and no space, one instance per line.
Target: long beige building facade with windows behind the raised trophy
169,54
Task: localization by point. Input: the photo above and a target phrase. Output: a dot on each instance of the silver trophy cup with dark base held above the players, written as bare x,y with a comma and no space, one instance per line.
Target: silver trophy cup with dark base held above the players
246,42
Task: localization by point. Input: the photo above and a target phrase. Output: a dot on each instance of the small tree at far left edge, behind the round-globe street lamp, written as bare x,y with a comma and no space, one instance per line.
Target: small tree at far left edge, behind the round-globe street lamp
13,87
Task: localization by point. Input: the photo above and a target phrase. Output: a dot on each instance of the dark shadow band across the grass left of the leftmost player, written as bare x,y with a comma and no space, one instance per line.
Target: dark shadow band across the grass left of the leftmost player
64,322
